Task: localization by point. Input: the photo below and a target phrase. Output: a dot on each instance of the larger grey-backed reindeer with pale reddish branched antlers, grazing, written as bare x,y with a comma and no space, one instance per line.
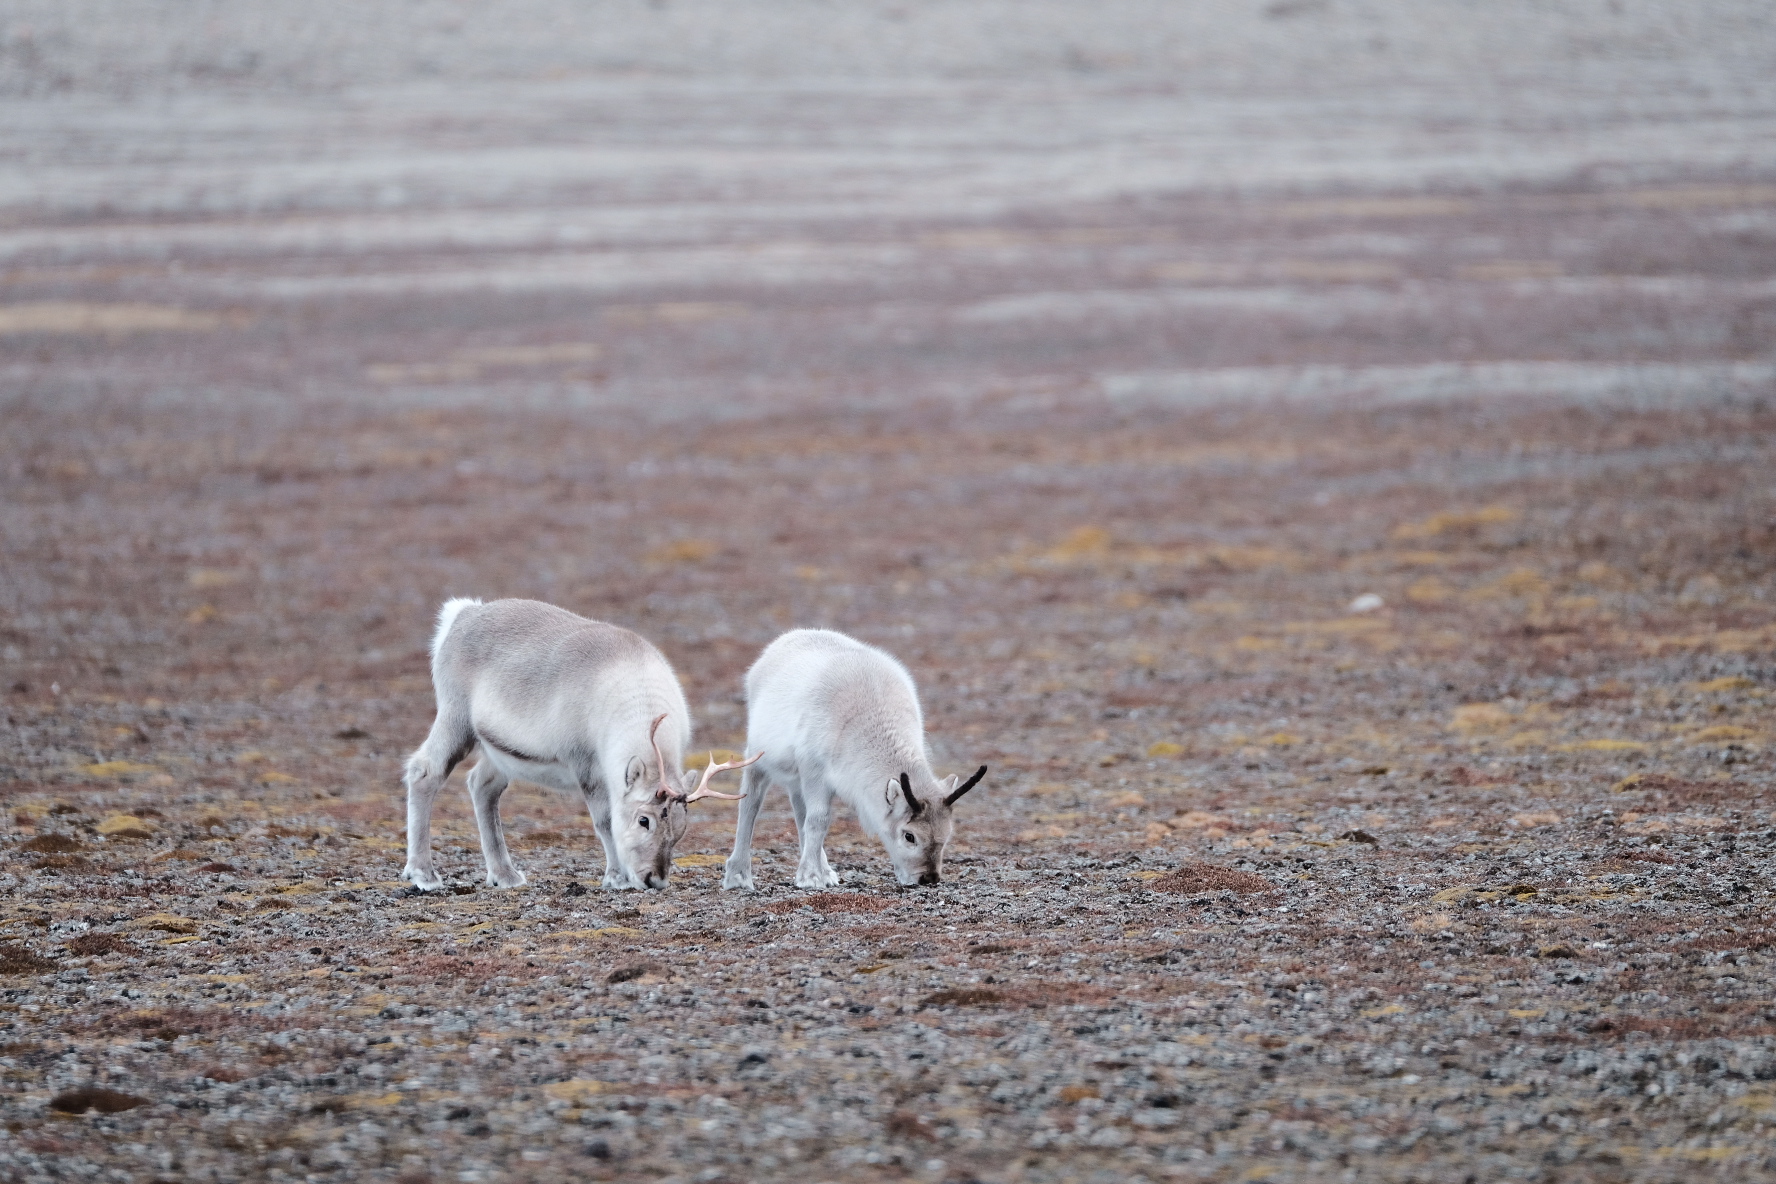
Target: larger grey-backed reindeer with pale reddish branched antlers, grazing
562,702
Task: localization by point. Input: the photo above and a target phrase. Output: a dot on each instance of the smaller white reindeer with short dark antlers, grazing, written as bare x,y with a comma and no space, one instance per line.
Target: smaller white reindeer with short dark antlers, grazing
843,720
